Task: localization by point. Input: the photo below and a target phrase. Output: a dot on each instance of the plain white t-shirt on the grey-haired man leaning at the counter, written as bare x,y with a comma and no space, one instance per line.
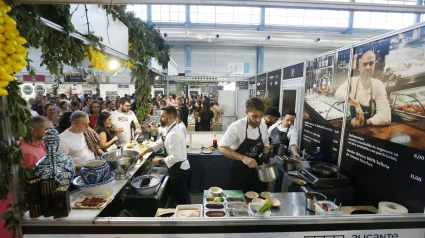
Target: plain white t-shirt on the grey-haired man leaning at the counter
75,146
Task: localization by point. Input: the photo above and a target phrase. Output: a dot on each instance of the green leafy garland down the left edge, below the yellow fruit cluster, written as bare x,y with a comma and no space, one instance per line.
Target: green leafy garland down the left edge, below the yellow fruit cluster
12,155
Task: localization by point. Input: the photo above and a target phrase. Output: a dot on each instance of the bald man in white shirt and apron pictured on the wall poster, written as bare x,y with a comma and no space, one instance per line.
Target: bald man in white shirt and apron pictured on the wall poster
368,98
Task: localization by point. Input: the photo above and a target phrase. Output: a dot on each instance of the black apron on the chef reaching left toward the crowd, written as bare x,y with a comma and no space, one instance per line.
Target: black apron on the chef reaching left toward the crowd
179,178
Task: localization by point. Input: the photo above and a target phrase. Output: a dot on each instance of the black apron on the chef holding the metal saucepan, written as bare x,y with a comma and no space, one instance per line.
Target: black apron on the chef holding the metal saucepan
241,176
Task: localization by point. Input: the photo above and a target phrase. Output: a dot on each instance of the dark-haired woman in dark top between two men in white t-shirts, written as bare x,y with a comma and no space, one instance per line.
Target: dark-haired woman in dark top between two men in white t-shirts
103,124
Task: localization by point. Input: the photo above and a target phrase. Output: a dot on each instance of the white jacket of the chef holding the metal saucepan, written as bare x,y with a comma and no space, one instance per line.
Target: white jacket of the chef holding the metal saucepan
236,134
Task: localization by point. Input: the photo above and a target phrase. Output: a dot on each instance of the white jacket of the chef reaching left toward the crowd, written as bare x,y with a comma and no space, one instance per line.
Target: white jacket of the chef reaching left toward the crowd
175,145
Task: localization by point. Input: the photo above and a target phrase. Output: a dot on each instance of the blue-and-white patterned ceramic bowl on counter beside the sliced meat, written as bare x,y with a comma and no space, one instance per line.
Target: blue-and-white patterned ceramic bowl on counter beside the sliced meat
94,171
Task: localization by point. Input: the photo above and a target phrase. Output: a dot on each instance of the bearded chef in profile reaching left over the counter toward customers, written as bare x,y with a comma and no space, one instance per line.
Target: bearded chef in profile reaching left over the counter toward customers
174,144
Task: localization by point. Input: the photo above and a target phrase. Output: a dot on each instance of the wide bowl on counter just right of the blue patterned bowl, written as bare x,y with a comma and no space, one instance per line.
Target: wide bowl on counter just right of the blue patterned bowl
121,166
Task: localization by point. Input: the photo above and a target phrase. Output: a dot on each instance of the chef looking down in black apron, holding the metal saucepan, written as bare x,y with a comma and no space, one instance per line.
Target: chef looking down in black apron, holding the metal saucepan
246,141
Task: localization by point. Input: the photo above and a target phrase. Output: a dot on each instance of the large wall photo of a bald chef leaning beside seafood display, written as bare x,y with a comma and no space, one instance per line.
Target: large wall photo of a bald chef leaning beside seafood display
387,89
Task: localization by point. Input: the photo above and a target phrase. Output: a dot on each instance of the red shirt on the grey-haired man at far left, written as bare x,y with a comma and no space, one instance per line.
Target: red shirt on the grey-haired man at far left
33,152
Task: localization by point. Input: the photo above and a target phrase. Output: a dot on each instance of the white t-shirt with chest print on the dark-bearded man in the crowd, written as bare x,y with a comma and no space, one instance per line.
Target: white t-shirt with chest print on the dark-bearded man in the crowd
120,119
